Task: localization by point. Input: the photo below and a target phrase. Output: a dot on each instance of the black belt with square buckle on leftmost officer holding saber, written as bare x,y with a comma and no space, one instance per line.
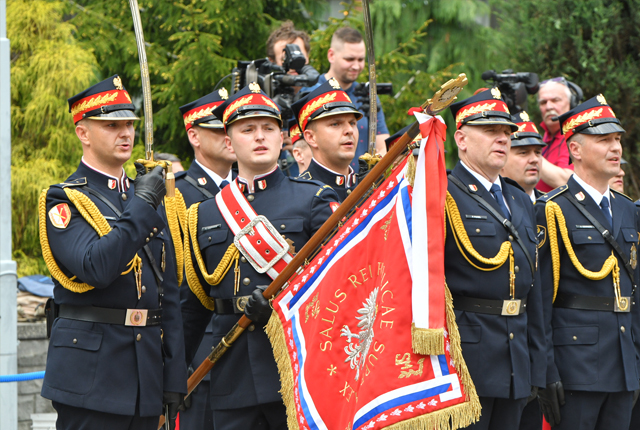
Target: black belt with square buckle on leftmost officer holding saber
128,317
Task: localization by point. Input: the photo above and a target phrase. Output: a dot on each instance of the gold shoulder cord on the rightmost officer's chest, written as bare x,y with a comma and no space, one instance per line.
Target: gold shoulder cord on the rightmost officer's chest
553,213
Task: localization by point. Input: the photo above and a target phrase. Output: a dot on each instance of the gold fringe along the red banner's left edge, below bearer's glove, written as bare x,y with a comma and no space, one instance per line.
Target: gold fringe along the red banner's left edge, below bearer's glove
275,332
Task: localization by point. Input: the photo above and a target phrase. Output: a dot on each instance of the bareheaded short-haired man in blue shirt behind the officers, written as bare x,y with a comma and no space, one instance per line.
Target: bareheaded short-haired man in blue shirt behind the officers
346,57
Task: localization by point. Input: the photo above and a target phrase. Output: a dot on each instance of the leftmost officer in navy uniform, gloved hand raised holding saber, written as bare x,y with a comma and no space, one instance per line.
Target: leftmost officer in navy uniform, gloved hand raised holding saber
116,344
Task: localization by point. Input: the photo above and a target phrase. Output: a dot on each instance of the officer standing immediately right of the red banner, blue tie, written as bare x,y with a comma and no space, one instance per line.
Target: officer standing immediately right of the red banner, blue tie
490,265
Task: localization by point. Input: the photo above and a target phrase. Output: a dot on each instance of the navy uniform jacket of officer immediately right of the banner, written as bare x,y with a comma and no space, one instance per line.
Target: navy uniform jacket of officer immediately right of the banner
501,352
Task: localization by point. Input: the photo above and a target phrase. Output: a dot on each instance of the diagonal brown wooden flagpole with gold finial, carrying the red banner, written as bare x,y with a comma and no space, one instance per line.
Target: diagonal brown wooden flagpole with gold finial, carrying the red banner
440,101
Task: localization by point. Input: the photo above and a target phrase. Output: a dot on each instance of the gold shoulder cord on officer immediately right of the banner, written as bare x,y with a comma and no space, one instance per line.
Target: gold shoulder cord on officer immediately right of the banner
462,241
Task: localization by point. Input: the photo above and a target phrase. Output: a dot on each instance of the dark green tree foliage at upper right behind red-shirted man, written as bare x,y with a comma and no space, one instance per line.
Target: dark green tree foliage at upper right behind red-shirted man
593,43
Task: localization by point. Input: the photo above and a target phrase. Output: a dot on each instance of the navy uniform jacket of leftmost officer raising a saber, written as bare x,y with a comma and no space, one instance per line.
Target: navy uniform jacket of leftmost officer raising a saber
108,367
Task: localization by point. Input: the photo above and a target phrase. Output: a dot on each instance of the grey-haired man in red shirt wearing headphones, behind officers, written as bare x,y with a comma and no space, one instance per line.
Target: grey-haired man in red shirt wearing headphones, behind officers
555,97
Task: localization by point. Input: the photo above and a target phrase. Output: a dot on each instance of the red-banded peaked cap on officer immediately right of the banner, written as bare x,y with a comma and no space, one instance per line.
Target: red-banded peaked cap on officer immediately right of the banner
486,107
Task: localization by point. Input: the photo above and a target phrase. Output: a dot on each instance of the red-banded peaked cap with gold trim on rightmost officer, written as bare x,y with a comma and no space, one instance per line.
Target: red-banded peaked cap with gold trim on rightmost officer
594,116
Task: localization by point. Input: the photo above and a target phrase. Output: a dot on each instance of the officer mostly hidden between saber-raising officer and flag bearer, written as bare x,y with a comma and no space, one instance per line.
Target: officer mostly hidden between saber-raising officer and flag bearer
209,171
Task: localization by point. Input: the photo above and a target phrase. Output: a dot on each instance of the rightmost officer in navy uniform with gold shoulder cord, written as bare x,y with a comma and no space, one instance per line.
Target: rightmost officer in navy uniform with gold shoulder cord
588,255
